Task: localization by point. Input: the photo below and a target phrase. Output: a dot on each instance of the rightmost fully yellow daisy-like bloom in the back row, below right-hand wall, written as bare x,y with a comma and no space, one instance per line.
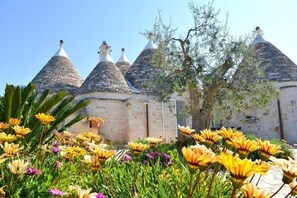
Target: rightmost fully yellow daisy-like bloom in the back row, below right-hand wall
268,149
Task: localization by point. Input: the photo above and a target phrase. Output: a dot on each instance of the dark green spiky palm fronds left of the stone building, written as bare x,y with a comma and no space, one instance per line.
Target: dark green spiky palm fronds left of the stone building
25,103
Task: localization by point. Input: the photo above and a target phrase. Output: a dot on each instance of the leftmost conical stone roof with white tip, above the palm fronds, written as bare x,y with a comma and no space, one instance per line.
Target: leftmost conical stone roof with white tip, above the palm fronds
58,74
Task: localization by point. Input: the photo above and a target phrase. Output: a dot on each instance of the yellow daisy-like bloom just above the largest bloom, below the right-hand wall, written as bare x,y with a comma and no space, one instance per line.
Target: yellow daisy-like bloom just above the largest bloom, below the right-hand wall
244,146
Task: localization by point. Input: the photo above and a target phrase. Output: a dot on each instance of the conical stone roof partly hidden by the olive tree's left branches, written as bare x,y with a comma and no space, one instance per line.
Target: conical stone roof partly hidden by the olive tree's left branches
143,71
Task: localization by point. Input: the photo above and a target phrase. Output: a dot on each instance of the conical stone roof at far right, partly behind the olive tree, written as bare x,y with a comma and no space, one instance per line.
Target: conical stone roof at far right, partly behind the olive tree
278,67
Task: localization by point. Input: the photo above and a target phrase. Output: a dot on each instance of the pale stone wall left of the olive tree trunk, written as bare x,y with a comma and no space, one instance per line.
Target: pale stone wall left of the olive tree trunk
130,116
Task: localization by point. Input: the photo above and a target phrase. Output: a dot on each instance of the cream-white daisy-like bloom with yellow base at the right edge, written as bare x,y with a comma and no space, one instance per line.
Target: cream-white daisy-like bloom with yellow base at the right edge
289,168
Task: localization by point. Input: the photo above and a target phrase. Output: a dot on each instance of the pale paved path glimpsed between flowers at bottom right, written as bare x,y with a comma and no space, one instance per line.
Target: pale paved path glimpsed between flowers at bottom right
273,180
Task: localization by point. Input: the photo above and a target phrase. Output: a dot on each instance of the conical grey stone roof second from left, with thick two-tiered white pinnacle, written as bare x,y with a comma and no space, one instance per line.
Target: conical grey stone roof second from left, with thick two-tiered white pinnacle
106,76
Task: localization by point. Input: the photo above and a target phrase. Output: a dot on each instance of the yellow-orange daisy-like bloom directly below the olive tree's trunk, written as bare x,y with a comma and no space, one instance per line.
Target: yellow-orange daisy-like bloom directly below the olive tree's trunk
208,137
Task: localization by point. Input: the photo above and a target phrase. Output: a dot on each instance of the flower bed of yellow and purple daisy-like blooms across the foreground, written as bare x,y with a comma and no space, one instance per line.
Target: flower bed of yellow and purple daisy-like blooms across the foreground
218,163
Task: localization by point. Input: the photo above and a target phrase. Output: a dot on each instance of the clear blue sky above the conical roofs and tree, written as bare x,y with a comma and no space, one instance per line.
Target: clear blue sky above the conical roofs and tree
30,30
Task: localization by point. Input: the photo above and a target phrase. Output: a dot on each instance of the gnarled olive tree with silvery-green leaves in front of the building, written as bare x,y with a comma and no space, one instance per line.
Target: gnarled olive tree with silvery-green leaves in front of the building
213,67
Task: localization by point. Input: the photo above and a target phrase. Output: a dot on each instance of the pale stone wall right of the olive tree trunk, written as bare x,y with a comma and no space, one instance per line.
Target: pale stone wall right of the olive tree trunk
265,122
